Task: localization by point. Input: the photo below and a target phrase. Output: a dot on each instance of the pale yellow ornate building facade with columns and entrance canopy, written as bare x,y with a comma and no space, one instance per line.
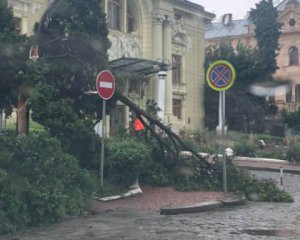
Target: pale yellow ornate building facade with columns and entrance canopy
162,30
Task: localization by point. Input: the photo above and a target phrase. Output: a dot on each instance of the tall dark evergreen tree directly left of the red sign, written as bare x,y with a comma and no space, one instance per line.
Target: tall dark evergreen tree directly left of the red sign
73,43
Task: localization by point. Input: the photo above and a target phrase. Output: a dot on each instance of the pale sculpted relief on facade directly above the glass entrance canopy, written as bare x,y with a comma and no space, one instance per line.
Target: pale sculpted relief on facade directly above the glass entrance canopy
123,46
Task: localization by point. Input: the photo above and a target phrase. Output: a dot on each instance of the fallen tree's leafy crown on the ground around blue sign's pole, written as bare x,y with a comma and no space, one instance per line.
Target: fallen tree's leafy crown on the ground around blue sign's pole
238,180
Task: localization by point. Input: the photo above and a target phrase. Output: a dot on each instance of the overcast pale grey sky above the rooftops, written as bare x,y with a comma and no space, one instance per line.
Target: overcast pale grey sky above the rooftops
238,8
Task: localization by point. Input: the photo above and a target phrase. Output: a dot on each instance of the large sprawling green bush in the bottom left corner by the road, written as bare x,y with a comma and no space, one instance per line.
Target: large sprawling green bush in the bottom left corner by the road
39,183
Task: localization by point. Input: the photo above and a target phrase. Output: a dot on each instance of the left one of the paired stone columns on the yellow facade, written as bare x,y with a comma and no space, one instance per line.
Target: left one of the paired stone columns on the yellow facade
157,48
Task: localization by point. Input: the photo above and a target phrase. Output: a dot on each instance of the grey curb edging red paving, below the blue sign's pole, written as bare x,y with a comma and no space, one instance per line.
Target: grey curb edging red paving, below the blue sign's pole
204,207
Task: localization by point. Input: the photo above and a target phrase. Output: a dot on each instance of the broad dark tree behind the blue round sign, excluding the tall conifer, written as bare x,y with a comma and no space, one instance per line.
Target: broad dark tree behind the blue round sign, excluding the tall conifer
244,112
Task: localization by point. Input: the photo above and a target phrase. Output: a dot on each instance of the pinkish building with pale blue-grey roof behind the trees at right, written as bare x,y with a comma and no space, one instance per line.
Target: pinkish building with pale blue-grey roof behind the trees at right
243,31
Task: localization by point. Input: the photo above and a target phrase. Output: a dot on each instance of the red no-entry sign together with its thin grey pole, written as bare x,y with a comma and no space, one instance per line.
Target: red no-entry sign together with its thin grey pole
105,85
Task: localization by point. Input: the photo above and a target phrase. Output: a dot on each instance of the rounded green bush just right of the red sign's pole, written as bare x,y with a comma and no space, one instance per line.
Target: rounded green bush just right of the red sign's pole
126,159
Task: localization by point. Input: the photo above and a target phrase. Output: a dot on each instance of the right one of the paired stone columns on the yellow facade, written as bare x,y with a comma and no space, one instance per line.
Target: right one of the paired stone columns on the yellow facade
167,55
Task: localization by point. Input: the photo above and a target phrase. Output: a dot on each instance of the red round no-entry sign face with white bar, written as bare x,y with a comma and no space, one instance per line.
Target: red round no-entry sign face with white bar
105,84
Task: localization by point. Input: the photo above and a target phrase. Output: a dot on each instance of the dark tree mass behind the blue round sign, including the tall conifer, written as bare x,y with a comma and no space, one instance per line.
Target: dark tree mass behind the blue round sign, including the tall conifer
244,111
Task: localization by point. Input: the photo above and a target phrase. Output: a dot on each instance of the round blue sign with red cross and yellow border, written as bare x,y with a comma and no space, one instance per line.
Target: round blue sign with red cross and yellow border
221,75
